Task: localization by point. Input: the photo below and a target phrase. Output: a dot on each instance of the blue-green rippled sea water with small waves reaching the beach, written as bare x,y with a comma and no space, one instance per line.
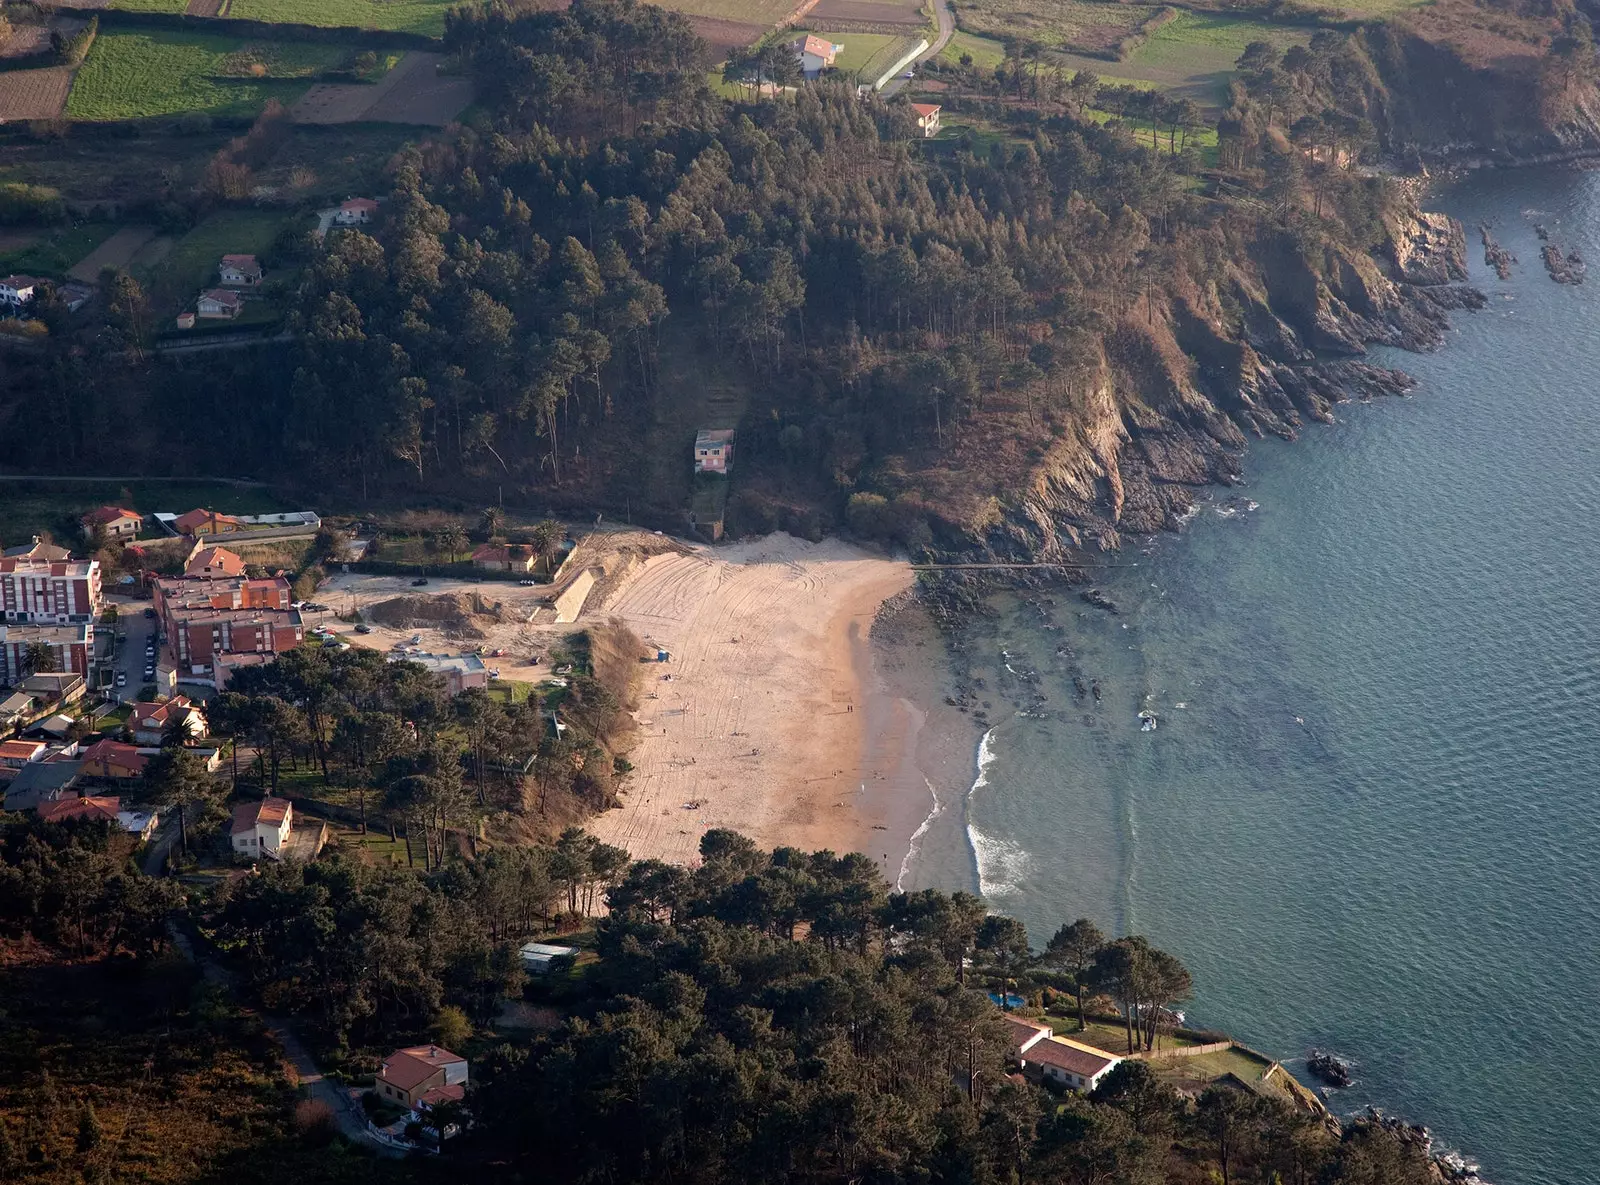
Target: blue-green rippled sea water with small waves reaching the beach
1370,815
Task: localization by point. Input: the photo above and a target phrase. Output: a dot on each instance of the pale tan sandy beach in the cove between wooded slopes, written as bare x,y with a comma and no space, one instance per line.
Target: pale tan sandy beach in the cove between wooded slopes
769,719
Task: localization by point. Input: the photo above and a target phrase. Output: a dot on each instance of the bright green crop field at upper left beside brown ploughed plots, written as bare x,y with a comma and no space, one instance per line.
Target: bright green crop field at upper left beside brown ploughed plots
142,74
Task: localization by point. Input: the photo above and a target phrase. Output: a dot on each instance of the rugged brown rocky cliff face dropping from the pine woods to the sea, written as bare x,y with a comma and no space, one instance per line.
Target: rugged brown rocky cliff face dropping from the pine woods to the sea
1263,349
